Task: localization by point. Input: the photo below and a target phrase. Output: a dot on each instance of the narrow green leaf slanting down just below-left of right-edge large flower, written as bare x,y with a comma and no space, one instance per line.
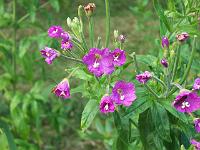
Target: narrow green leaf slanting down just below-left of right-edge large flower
174,112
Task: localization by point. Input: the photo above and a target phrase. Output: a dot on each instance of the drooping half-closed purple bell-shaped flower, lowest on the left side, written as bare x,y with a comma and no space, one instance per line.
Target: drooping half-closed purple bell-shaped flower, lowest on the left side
62,89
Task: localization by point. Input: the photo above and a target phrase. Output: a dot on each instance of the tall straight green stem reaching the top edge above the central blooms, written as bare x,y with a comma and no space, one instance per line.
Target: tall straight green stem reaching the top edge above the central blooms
107,22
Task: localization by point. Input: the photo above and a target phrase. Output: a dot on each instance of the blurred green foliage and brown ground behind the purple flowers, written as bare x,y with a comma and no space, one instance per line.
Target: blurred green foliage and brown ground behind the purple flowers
38,119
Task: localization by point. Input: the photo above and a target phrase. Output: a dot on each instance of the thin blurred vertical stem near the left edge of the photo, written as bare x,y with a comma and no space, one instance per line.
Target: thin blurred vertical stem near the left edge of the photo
14,45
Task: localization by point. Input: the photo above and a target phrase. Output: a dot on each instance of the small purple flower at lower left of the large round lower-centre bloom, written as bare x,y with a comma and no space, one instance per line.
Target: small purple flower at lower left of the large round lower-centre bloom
106,105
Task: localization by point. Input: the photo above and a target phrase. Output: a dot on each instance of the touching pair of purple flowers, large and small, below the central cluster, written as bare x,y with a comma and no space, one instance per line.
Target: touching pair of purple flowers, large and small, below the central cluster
123,93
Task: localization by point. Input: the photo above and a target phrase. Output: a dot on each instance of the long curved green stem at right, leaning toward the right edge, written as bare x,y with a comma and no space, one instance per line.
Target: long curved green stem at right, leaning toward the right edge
188,66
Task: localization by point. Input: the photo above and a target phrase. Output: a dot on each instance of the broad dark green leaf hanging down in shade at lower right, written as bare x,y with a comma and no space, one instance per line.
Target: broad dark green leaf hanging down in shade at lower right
161,121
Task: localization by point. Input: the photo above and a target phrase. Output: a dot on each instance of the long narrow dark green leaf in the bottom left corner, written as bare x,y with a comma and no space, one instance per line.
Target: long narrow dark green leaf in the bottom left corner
9,135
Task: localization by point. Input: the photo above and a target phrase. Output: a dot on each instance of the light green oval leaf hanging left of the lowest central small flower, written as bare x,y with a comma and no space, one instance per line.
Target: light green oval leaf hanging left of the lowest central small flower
88,114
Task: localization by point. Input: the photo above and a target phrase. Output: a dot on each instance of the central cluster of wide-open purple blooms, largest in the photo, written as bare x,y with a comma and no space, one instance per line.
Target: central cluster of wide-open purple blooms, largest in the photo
101,62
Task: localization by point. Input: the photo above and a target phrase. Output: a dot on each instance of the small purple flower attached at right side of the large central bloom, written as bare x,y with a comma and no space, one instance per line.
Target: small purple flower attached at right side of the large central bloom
119,57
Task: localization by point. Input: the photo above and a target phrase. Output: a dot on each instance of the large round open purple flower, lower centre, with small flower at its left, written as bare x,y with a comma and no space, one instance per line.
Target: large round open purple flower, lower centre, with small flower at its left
123,93
